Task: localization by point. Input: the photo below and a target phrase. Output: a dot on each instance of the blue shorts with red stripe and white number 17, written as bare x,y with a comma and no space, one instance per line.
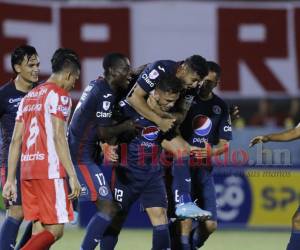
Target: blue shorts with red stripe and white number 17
94,184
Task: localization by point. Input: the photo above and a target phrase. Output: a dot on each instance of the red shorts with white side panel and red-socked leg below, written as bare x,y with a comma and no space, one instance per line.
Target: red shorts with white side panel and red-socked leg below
40,206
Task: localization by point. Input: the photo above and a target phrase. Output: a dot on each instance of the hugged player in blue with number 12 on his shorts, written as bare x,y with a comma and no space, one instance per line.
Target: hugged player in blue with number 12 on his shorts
140,176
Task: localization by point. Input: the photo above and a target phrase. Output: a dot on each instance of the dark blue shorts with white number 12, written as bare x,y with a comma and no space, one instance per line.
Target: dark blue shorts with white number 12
129,186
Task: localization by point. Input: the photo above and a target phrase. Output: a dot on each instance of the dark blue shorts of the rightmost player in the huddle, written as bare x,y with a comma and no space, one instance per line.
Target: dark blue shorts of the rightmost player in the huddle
203,190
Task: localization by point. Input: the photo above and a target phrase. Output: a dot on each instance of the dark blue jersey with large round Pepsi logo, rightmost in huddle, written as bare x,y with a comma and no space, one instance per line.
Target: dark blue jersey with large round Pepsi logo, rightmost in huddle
207,121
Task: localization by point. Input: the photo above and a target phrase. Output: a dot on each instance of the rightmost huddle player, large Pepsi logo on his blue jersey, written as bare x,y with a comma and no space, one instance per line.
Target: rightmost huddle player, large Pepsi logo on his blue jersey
208,126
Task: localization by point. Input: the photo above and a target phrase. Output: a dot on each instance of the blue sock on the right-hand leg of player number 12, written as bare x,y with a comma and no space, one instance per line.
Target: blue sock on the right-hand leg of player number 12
161,237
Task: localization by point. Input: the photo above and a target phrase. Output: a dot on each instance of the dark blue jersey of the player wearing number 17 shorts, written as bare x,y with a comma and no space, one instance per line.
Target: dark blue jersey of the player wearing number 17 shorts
94,109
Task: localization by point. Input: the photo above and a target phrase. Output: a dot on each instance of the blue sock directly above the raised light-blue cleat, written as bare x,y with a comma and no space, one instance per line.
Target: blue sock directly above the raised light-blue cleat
181,179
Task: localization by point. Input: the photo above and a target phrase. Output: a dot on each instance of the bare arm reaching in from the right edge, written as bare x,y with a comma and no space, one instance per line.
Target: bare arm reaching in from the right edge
288,135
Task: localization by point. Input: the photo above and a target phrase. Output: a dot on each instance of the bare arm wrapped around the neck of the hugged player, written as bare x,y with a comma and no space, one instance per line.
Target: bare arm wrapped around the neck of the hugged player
137,100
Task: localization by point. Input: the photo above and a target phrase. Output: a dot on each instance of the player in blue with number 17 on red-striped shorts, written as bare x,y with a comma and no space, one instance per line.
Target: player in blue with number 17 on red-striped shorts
95,120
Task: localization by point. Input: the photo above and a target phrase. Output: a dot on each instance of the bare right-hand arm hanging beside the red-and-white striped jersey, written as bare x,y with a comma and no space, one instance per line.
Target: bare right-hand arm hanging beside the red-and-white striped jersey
62,149
